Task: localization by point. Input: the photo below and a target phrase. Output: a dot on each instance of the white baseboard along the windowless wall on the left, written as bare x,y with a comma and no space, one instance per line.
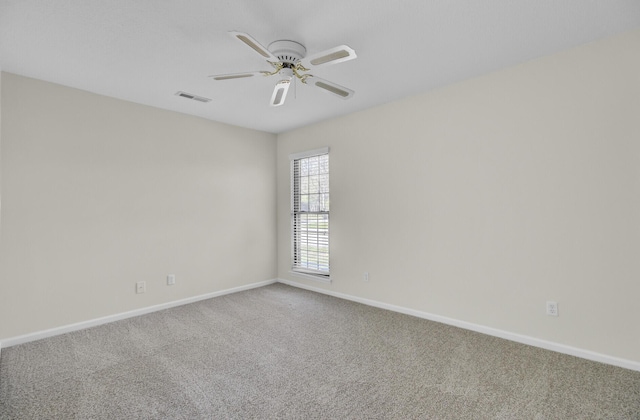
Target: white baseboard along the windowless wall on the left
124,315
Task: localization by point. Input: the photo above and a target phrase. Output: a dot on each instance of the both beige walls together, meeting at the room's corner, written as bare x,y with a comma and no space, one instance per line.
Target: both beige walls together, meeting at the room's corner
479,202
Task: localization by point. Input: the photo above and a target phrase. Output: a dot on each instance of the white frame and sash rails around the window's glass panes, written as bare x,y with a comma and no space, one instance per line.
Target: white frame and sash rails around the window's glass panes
297,270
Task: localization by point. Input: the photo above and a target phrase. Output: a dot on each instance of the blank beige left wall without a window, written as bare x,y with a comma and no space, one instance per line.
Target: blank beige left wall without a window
100,193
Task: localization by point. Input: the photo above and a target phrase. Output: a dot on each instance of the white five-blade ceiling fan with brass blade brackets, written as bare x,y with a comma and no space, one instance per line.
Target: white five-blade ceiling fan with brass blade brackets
289,62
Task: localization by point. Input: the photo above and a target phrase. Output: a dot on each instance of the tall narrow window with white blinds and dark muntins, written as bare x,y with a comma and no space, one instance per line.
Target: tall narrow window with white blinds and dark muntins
310,212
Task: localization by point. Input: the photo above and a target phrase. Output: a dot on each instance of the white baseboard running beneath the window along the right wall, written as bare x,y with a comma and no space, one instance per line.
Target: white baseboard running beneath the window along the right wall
524,339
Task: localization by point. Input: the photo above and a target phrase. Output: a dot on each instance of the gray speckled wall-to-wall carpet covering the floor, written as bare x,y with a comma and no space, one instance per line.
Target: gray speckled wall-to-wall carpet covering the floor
281,352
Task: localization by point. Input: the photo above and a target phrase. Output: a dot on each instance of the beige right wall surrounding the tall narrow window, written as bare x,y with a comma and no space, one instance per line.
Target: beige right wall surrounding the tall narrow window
482,200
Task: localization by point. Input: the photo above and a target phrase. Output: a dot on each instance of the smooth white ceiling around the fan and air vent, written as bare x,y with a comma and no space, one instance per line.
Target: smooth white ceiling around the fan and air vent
146,50
